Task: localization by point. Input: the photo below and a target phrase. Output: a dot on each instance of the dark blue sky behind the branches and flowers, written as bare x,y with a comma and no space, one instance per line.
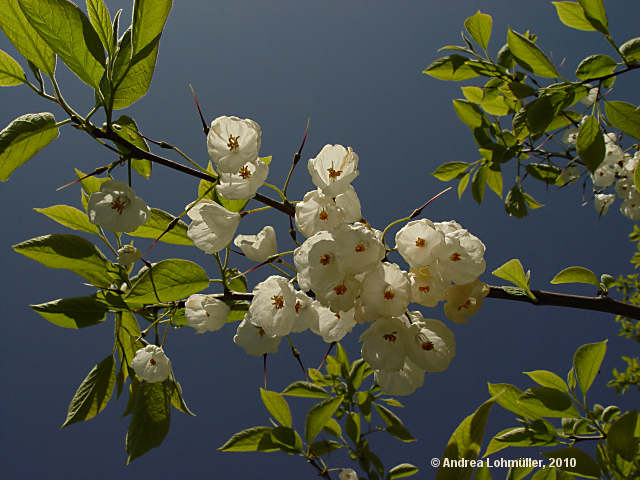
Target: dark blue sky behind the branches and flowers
355,69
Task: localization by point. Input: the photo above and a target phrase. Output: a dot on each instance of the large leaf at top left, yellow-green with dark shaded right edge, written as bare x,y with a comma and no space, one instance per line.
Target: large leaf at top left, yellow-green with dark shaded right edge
68,32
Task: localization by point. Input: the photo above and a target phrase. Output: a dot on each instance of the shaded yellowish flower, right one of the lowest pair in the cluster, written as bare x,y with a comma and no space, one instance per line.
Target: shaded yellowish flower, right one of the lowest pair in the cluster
431,345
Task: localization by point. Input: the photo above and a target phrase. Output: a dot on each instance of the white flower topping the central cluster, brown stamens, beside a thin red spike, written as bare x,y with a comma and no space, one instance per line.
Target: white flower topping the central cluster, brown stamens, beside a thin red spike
333,169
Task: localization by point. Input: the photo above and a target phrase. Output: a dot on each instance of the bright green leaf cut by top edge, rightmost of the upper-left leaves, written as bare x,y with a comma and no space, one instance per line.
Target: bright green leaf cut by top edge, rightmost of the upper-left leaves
149,17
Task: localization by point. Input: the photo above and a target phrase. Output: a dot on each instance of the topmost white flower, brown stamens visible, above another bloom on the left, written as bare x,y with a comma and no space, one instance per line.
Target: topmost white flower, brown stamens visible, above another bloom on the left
233,142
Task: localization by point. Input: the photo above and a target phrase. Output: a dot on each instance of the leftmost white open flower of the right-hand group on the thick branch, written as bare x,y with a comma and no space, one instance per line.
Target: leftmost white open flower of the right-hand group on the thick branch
416,242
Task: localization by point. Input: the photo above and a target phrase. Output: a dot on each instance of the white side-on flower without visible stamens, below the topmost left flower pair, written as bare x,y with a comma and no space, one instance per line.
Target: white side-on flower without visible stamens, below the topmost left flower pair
213,226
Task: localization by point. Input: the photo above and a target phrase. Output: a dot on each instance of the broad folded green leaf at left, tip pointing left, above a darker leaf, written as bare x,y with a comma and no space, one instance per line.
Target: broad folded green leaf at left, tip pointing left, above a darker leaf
69,252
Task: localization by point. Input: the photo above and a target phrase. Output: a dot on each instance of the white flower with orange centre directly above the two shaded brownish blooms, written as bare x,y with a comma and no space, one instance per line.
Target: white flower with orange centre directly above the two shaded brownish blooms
386,289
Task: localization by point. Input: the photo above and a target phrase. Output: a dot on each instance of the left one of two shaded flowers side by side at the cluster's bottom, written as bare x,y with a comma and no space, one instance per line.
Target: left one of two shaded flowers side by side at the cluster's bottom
384,344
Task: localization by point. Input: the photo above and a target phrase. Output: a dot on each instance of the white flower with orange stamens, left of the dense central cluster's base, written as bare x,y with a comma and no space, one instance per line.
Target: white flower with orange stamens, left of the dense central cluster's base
273,306
